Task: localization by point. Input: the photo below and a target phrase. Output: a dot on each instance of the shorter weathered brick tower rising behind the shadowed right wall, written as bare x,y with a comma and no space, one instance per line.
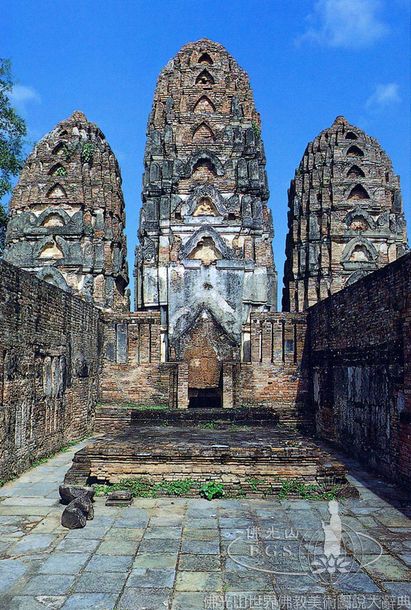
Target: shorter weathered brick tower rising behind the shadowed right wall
345,215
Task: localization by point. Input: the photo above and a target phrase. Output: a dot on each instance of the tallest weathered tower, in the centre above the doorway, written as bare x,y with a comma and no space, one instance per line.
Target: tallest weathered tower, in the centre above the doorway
205,255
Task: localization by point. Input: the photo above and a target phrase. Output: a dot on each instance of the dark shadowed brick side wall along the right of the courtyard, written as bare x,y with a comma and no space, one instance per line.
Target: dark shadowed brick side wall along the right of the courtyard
360,342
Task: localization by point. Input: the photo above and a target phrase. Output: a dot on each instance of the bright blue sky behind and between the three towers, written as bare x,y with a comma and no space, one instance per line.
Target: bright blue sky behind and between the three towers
308,61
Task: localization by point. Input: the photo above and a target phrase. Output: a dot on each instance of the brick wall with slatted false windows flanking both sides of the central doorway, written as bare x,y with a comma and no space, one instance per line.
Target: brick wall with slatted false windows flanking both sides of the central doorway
272,374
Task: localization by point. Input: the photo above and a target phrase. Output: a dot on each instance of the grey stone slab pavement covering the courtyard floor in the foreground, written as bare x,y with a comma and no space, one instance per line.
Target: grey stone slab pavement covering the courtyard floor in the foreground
189,554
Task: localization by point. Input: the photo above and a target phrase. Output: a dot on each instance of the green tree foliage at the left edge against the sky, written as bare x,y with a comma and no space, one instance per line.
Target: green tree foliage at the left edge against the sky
12,133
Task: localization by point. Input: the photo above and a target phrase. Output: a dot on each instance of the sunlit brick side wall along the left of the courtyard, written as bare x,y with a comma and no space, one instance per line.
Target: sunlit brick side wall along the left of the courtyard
49,364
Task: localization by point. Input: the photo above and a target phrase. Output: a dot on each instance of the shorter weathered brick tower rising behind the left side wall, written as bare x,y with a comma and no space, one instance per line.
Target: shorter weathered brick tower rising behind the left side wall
67,215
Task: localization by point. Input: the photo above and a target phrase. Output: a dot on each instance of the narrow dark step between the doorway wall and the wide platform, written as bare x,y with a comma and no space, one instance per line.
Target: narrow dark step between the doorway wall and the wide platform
117,417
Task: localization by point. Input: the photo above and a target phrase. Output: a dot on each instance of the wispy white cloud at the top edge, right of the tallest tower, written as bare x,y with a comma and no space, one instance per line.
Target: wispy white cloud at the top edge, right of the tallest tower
350,24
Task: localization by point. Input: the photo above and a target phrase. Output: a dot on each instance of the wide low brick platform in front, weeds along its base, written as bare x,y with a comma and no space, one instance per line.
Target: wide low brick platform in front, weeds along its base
271,455
